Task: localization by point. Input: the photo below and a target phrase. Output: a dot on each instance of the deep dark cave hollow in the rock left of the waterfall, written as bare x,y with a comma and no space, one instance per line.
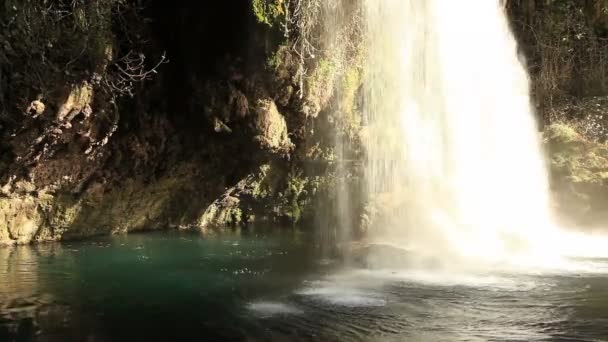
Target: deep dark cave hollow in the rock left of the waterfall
206,43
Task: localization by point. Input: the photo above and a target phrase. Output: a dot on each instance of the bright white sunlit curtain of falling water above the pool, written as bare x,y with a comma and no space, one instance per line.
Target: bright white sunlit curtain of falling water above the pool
454,155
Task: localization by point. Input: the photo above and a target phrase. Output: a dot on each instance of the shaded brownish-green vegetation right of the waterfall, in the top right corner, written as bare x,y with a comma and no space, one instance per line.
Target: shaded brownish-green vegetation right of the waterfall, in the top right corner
564,42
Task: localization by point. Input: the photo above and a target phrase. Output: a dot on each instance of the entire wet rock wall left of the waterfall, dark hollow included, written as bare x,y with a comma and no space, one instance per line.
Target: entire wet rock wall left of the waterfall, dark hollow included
185,148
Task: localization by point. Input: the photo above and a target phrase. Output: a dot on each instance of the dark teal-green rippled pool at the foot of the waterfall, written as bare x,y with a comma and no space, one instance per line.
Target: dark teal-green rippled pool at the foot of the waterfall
277,287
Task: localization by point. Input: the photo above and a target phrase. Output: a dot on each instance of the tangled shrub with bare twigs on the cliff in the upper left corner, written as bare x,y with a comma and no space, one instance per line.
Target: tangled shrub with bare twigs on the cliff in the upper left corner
51,43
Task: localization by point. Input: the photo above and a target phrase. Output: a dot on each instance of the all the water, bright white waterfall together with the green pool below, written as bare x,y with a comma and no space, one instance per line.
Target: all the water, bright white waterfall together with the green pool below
456,167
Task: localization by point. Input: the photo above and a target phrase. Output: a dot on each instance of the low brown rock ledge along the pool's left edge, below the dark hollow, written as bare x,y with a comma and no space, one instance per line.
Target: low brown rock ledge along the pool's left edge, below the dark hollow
176,199
